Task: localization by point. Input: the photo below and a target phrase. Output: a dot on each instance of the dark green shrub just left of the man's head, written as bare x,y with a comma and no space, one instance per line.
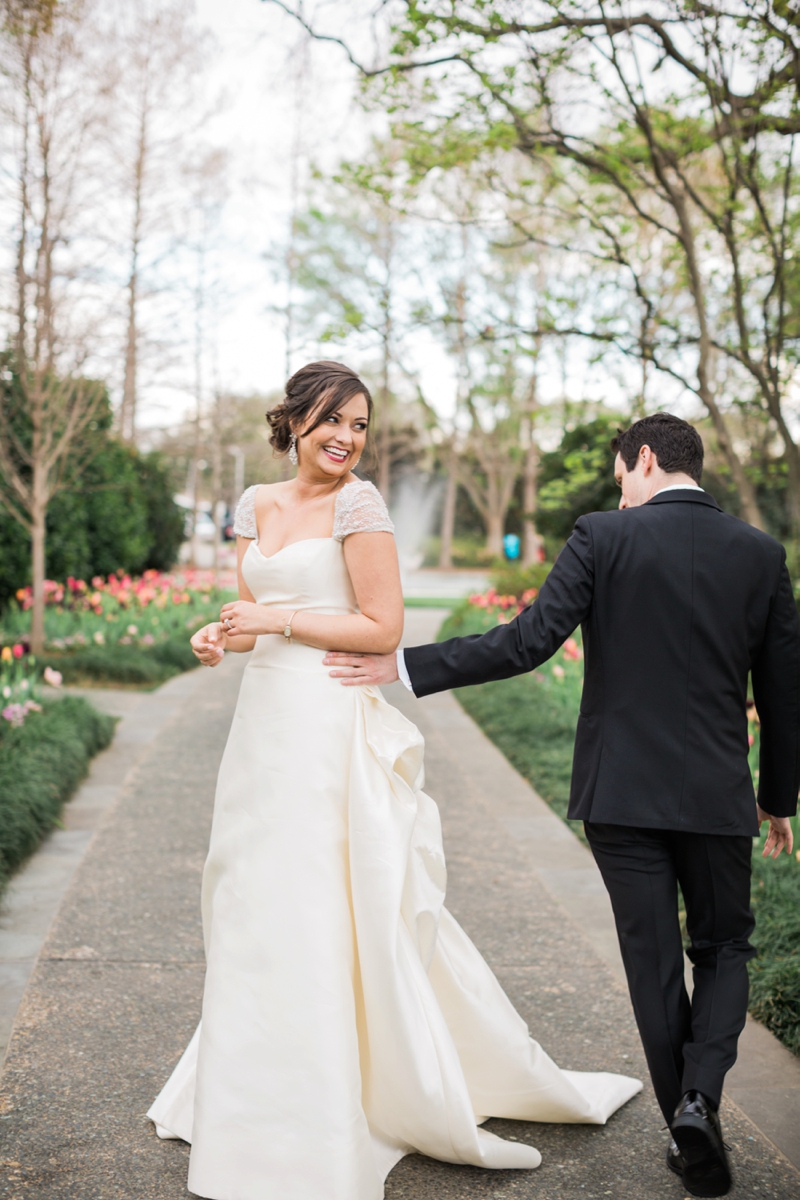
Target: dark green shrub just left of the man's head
579,477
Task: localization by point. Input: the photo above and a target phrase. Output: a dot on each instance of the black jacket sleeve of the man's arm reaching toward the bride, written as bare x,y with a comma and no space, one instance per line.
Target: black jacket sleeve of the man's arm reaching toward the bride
526,643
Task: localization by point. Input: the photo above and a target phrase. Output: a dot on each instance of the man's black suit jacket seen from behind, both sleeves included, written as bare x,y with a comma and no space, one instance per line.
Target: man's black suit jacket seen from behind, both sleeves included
678,602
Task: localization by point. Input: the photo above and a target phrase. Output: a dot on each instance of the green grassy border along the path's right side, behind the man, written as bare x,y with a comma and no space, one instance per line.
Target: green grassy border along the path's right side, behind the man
532,719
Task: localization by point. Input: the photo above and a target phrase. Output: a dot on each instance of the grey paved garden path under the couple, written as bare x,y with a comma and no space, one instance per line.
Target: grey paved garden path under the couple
116,993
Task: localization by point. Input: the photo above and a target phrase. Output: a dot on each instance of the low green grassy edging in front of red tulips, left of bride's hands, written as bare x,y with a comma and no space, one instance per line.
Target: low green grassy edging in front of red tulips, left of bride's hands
145,665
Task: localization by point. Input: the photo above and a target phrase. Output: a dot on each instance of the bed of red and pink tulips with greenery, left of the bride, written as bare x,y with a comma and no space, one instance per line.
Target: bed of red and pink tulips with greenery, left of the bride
119,629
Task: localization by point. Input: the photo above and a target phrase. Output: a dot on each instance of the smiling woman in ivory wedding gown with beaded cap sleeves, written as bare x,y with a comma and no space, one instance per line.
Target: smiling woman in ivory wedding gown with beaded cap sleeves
347,1018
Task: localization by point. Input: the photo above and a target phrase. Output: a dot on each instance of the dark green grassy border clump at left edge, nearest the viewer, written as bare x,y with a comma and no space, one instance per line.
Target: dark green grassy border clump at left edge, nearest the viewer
41,764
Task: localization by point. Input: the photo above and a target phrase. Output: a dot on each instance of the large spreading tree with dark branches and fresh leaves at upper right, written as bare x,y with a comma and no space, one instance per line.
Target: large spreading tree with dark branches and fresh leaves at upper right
682,121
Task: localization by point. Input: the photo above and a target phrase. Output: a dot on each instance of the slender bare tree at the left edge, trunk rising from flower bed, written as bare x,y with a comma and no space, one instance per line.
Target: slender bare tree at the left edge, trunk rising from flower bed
55,100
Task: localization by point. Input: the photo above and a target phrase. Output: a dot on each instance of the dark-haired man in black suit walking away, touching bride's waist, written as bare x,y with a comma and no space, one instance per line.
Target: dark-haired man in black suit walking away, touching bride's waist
678,604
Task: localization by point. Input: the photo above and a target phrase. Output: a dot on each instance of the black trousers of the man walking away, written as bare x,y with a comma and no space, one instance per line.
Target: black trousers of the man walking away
688,1045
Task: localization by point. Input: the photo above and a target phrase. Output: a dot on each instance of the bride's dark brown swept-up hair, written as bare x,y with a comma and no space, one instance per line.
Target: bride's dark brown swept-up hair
316,392
